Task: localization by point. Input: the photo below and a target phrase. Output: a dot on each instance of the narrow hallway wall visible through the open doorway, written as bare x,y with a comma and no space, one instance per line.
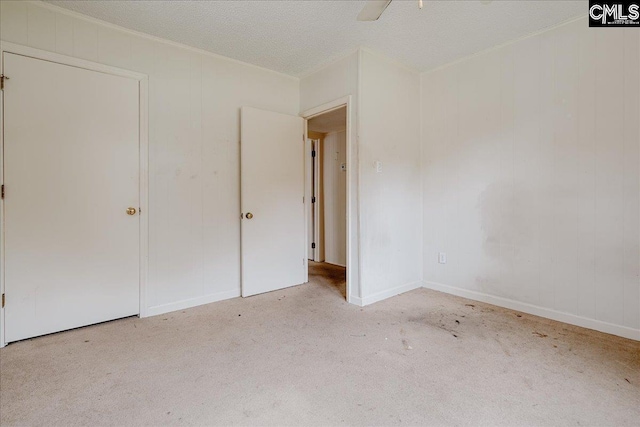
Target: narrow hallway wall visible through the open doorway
335,198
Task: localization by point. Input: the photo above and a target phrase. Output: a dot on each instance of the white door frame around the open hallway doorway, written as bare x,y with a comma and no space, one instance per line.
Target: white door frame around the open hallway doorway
353,262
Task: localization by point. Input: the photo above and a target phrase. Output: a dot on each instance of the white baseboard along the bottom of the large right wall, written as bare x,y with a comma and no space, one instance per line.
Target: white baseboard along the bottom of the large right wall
548,313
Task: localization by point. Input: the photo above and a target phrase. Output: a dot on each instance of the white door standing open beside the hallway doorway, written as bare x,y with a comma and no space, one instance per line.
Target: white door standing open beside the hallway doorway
272,199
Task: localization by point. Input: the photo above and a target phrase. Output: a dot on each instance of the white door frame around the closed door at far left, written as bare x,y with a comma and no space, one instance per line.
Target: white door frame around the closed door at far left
144,156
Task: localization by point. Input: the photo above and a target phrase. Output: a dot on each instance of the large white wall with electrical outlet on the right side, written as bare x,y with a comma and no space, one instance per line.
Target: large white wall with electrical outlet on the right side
531,176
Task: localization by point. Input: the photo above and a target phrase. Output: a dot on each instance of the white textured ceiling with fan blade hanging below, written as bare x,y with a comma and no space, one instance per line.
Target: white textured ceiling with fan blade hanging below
294,37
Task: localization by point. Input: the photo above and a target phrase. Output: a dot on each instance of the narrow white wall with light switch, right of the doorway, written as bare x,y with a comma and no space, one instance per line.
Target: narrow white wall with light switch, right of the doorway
390,201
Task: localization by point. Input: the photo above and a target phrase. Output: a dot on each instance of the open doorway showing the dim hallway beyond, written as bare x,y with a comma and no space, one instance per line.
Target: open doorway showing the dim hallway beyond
326,157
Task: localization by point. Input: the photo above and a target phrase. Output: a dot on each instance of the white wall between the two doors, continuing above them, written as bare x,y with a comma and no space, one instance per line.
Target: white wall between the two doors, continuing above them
194,122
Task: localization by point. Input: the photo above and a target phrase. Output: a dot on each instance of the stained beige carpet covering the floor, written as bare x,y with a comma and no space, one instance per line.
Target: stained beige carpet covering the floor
303,356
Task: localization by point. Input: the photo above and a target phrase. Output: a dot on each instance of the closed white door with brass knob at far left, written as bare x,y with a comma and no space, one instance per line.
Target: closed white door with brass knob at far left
71,166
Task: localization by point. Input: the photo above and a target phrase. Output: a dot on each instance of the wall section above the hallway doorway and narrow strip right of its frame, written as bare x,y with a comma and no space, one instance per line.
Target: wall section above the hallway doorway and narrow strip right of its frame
328,84
